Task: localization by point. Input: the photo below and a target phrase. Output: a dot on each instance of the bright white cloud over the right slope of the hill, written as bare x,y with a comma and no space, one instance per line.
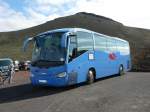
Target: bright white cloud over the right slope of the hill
129,12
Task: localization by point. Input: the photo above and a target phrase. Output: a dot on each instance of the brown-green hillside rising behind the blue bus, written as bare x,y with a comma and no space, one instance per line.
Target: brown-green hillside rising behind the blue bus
139,39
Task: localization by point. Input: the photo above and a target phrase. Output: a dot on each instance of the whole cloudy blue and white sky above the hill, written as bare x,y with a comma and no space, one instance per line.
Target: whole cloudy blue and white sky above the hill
21,14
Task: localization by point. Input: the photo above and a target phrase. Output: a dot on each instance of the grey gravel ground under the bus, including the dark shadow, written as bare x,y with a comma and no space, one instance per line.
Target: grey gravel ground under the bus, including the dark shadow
128,93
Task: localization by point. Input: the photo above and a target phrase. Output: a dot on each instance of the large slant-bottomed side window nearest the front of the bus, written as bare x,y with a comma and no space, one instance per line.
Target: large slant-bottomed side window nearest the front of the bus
85,42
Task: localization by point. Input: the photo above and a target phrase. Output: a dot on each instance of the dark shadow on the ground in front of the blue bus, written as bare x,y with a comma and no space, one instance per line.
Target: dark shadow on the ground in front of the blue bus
26,91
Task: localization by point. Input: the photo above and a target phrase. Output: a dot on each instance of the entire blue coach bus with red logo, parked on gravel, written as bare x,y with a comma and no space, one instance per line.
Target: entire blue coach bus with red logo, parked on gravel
73,55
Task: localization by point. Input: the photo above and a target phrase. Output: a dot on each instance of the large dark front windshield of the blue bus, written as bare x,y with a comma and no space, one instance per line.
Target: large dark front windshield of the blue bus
49,50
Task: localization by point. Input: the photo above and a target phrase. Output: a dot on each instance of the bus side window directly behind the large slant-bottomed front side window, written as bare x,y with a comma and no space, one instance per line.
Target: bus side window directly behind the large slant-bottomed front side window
100,42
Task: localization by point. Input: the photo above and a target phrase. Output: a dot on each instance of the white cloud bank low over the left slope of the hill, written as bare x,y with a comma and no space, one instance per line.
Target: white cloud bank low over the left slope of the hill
15,20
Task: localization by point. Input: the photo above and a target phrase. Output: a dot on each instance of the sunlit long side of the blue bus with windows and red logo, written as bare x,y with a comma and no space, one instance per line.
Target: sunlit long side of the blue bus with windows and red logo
97,54
